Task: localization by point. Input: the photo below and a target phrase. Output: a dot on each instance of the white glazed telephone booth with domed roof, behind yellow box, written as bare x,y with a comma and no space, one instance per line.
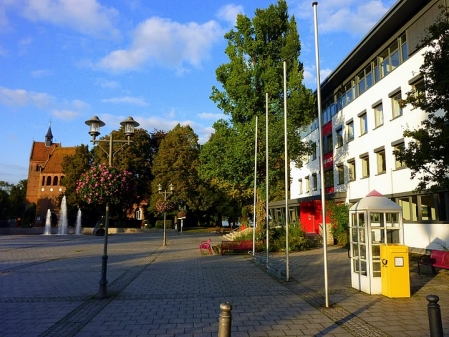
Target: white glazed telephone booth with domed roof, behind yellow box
373,220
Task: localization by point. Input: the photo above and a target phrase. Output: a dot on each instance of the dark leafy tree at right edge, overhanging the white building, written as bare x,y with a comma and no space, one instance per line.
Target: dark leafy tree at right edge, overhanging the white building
426,154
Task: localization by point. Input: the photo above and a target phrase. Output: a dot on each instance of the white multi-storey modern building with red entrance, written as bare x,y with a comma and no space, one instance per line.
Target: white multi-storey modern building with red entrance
362,123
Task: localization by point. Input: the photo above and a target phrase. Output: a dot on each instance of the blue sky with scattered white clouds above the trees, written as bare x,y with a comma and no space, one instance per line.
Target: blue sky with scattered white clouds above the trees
64,61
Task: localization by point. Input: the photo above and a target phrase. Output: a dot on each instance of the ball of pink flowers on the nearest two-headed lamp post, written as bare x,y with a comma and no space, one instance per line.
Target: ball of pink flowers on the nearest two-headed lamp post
103,184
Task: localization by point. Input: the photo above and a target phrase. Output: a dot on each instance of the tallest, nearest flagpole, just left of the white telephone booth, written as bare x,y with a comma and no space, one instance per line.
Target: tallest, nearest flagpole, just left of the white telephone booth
320,136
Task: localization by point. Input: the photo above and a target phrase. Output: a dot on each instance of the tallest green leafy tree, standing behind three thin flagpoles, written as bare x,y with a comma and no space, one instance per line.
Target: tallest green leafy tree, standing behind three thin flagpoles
256,50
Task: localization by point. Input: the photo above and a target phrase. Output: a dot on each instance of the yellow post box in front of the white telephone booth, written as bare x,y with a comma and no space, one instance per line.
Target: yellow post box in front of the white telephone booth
395,271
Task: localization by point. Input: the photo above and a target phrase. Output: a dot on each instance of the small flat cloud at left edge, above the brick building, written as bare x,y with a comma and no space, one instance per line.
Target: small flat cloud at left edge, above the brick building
21,97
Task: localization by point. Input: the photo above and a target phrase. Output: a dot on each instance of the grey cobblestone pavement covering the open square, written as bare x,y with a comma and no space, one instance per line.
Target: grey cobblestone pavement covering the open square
48,287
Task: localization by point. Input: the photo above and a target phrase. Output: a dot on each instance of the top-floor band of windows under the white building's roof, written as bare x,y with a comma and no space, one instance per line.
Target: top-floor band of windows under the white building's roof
388,60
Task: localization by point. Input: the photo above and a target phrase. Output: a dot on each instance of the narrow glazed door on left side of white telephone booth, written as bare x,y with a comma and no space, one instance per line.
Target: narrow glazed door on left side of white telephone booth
360,268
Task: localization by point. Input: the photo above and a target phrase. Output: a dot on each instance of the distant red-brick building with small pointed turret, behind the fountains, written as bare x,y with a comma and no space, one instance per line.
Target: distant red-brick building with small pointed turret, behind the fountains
45,175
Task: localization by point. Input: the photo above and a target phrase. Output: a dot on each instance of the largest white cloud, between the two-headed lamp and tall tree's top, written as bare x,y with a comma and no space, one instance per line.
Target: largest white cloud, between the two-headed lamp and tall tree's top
166,43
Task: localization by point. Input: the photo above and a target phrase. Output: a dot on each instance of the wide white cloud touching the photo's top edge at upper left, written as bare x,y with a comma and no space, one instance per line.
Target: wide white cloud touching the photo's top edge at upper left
85,16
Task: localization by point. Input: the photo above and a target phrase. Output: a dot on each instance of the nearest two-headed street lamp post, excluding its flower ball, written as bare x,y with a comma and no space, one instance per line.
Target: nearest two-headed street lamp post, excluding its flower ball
94,130
